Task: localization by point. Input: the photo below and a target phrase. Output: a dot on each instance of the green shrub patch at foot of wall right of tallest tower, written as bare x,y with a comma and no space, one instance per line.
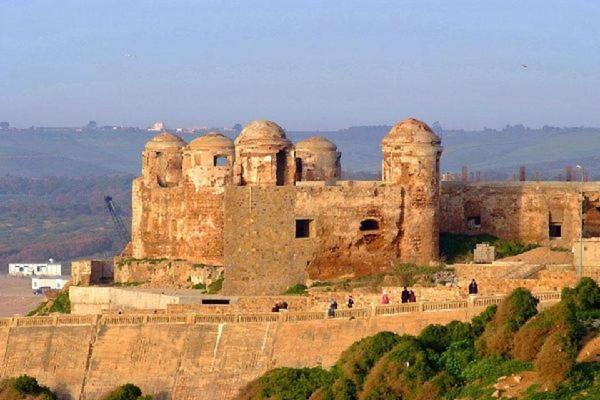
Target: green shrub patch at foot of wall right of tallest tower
459,247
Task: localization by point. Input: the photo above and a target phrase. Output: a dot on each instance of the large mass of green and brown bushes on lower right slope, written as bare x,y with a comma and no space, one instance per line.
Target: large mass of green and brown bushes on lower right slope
461,360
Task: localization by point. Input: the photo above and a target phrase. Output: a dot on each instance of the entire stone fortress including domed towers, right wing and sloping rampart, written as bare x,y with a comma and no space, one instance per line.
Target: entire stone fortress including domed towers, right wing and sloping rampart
269,214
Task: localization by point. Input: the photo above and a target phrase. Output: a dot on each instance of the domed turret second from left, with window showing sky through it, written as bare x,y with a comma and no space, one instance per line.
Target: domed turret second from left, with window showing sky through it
208,160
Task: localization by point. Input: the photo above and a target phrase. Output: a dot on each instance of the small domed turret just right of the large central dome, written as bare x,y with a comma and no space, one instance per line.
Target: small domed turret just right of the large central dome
317,159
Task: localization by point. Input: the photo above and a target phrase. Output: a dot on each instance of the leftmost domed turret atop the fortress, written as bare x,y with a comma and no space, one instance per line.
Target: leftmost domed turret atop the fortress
161,160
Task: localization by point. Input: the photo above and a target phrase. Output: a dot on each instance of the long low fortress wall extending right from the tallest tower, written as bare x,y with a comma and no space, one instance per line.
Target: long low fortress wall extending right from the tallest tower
513,210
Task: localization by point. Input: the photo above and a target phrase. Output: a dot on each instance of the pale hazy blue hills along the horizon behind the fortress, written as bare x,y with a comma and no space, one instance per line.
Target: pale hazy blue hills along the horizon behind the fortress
498,153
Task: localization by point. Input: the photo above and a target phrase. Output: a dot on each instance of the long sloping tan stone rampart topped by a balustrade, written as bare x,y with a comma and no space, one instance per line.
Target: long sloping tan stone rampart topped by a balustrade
192,356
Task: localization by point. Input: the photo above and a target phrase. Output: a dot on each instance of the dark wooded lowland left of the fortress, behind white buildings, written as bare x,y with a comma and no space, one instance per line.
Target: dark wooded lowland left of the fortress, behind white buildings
60,218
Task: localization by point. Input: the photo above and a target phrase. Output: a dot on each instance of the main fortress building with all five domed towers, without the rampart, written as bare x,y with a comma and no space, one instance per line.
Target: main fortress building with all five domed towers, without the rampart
275,214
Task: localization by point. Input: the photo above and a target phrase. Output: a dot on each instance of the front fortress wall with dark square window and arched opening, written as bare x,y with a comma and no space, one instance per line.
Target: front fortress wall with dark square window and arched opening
264,256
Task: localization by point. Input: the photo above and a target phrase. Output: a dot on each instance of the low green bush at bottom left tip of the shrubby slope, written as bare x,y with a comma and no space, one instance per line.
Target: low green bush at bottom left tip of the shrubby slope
286,384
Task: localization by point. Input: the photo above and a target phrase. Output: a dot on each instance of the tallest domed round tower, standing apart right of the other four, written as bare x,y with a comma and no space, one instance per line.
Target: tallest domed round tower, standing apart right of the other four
411,158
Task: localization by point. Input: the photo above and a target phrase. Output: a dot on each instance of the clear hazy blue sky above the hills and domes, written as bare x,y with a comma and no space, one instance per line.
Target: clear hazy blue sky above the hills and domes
305,64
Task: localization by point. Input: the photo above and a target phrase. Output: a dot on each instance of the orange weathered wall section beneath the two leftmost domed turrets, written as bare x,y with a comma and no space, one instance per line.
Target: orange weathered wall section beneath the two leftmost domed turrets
181,222
